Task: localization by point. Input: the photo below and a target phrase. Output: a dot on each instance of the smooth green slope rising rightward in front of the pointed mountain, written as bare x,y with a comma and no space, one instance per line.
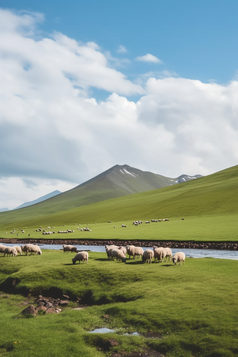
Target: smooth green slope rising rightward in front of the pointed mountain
215,194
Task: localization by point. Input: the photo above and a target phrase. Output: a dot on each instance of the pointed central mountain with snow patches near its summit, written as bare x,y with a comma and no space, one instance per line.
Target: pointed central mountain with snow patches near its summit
118,181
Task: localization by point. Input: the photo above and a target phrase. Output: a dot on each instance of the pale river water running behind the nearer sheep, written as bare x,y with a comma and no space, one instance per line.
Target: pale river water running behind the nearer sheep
190,253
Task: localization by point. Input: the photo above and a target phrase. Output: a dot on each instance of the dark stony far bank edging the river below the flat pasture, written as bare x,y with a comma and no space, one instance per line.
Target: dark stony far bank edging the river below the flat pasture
140,243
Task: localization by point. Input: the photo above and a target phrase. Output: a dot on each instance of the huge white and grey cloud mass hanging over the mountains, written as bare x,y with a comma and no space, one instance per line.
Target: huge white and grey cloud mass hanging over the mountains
55,135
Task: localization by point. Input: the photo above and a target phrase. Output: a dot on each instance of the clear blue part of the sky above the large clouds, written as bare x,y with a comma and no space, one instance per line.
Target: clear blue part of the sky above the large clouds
195,39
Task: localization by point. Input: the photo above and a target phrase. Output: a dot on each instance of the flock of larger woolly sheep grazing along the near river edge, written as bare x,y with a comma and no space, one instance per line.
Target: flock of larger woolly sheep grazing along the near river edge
113,252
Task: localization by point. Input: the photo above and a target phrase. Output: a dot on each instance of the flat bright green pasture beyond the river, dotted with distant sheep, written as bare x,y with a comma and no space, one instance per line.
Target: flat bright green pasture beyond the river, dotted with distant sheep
207,228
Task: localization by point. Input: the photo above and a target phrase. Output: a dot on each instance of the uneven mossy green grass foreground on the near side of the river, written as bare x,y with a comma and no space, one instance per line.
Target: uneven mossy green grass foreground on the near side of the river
191,310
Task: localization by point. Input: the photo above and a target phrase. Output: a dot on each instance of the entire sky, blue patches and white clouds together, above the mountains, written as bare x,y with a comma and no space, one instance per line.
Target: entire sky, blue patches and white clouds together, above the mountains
88,84
